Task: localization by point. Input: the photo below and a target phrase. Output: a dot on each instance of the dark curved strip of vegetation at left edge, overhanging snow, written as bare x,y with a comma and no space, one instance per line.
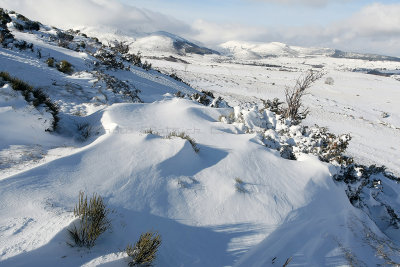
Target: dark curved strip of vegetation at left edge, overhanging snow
33,95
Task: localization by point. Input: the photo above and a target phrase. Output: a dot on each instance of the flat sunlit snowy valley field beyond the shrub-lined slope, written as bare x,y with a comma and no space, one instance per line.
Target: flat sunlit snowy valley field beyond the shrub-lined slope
364,105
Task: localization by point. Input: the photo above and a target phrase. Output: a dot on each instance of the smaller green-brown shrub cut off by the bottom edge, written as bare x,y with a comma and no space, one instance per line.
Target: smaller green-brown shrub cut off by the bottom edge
145,250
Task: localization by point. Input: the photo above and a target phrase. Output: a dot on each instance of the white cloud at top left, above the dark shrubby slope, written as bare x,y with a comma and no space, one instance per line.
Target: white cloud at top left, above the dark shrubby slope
112,13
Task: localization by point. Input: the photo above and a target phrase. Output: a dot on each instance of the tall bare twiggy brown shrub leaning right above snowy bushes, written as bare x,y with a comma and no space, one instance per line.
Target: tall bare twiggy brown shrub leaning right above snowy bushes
294,96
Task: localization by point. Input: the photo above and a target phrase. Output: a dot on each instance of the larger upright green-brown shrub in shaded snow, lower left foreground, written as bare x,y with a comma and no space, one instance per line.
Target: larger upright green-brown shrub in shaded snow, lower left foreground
93,220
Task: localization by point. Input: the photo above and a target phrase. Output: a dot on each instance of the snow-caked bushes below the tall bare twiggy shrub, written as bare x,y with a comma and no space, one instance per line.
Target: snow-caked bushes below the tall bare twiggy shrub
279,133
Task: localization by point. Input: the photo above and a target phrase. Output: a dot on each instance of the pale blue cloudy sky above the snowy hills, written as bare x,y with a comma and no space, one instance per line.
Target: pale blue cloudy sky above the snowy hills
350,25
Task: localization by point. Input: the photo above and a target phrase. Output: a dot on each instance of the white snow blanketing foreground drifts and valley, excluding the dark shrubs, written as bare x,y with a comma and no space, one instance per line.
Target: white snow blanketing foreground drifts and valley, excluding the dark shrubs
234,203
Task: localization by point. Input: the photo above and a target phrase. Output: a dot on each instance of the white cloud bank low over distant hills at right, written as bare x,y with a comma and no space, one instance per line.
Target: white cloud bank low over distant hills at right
375,29
